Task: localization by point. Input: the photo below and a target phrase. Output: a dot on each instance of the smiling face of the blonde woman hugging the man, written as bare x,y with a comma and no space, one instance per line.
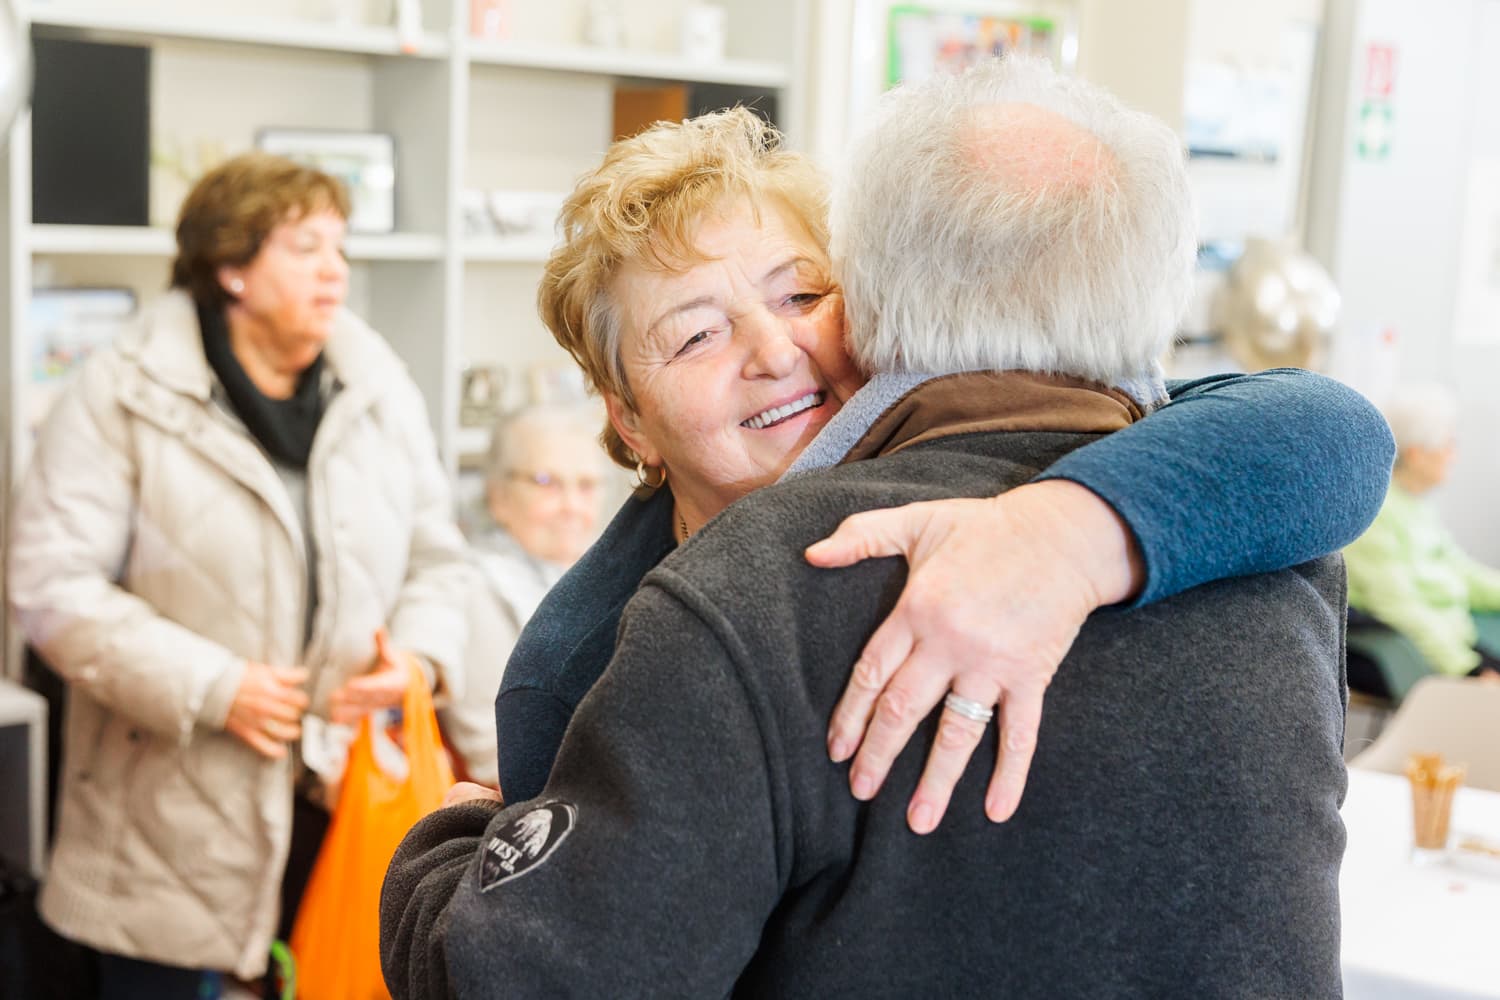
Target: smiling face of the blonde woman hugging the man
736,362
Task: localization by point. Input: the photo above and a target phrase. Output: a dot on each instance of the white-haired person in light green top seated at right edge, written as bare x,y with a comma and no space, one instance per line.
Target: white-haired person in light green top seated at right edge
1408,572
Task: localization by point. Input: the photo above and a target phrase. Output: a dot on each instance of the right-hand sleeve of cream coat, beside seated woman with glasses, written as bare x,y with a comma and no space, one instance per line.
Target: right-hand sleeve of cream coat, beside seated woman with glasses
430,614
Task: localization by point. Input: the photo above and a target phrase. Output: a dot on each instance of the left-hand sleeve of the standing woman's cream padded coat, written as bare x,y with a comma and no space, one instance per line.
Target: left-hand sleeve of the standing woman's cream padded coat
71,534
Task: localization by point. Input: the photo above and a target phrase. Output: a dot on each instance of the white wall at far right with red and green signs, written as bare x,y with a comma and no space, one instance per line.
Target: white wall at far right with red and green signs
1391,229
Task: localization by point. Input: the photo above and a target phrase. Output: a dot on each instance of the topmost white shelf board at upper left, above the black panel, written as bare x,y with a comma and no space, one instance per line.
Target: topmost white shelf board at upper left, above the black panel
364,40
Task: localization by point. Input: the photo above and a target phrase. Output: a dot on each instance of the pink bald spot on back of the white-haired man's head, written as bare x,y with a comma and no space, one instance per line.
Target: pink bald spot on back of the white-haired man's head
1034,151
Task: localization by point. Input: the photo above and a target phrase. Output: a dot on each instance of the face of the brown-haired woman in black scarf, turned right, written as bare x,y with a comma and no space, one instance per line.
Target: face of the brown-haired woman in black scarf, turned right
296,286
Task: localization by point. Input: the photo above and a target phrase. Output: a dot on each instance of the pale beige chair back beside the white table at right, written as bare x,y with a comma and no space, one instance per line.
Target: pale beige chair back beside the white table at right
1457,717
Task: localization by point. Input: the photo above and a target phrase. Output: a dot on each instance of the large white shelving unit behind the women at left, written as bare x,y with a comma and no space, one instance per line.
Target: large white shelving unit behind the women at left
530,113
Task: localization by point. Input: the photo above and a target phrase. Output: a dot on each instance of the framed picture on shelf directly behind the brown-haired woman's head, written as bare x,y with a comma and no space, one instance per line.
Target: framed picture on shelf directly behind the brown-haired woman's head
364,161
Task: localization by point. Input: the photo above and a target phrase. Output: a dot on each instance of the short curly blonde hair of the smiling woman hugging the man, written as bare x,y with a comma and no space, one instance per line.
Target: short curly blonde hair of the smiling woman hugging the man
644,205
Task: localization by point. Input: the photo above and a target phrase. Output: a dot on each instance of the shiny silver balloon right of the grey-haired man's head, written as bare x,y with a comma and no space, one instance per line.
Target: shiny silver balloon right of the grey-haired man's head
1277,308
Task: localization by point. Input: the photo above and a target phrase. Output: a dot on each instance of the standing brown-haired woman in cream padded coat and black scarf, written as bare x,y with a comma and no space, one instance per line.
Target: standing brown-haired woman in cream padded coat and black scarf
221,513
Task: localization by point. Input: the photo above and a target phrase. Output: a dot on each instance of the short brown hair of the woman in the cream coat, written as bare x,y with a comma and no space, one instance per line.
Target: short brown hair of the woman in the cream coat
233,209
